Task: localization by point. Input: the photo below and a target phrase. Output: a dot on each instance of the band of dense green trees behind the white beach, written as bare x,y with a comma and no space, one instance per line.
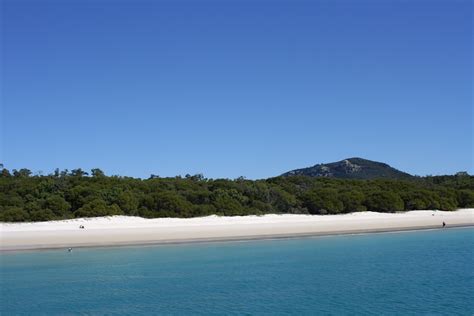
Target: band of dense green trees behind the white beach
70,194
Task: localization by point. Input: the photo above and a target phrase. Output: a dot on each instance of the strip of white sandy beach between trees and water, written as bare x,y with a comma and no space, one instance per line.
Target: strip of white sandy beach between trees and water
123,230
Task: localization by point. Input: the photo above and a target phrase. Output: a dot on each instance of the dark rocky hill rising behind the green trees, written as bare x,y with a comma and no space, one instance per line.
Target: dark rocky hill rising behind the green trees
352,168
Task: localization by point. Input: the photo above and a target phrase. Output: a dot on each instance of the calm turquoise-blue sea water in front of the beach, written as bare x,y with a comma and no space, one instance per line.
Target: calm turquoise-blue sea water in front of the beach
425,272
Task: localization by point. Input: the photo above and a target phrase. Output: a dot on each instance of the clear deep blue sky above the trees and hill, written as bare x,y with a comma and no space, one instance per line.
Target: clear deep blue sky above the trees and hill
236,88
